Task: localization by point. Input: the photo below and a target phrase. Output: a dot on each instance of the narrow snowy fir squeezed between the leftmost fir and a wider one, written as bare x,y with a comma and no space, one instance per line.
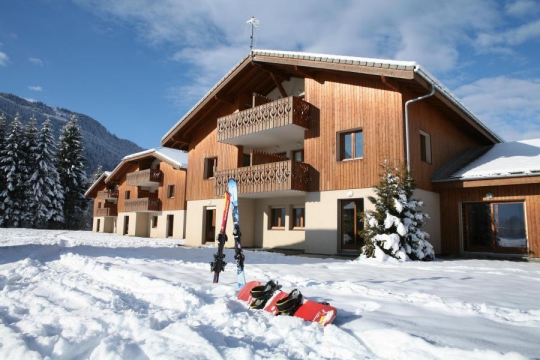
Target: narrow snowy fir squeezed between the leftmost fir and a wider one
28,167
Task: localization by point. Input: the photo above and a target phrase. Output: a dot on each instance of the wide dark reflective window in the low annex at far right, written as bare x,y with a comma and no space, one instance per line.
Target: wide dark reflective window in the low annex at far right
494,227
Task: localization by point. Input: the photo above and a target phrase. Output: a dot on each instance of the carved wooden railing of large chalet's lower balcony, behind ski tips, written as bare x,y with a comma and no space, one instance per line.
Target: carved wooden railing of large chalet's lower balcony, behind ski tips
277,176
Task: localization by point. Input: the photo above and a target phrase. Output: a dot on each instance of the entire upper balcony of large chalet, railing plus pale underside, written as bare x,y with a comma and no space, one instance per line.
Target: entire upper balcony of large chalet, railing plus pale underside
285,119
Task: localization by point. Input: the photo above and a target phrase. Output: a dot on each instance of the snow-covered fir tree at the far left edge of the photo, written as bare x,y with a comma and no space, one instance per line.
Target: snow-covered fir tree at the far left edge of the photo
13,194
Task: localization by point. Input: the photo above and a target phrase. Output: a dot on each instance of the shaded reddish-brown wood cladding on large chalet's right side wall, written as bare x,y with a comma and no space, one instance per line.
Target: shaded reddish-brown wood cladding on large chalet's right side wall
447,139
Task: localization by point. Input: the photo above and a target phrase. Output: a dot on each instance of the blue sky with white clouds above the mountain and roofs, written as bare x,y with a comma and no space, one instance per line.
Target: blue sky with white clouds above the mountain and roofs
137,66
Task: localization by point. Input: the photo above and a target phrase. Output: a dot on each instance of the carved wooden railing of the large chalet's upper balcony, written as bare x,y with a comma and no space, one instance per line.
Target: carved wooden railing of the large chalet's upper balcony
286,111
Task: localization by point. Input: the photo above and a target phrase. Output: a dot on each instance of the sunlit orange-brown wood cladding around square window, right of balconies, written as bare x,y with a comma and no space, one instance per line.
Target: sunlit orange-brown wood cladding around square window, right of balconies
345,102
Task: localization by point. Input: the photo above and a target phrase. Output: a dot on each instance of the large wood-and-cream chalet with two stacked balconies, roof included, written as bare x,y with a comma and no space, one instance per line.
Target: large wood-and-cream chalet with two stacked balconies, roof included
305,135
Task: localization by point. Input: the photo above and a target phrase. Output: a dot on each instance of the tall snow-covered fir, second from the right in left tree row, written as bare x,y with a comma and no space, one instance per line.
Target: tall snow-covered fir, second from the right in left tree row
47,198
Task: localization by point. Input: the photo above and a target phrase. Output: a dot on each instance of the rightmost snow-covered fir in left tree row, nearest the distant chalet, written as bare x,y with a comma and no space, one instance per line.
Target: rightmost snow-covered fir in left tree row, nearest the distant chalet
71,168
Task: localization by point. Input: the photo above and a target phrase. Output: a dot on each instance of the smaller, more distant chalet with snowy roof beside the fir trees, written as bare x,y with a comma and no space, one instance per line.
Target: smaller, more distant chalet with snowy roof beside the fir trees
143,196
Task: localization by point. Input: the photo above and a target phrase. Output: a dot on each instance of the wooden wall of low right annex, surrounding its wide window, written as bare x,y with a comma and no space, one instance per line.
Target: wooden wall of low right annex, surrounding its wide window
451,200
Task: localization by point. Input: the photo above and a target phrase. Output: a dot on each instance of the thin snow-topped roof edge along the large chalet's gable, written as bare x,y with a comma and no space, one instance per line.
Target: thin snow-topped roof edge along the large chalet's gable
351,60
